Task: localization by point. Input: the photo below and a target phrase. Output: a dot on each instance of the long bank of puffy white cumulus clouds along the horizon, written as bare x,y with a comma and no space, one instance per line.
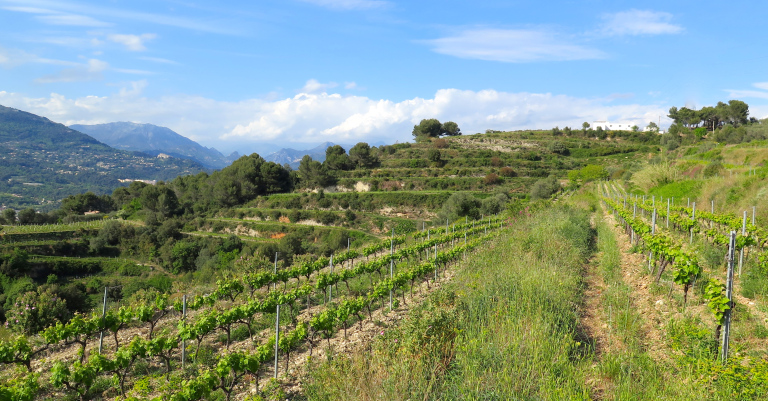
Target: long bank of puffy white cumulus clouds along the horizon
317,117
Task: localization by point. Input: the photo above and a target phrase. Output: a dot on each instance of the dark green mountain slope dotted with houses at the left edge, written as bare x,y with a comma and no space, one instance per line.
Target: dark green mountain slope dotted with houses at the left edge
42,162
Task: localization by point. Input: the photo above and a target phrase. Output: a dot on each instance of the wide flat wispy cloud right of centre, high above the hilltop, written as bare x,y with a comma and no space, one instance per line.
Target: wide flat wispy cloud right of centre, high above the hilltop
512,46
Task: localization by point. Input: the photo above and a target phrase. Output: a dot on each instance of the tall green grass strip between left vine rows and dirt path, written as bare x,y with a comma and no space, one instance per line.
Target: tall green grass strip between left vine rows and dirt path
506,328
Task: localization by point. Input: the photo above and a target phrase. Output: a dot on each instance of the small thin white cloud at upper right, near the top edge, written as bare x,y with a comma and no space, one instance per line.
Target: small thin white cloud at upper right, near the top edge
639,22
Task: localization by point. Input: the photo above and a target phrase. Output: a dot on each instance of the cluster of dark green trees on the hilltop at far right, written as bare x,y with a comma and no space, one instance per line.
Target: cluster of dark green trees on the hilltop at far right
735,113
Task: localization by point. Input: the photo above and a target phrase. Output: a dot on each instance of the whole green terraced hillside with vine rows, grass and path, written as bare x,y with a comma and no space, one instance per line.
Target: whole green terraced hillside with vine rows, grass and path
504,265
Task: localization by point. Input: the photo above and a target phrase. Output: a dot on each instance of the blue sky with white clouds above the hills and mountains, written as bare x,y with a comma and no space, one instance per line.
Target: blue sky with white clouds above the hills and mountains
258,75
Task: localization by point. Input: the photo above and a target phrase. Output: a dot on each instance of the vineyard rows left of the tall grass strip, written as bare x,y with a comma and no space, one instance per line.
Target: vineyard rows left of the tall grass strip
167,334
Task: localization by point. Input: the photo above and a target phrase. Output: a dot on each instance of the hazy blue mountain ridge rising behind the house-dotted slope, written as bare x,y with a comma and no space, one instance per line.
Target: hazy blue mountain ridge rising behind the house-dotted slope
153,140
